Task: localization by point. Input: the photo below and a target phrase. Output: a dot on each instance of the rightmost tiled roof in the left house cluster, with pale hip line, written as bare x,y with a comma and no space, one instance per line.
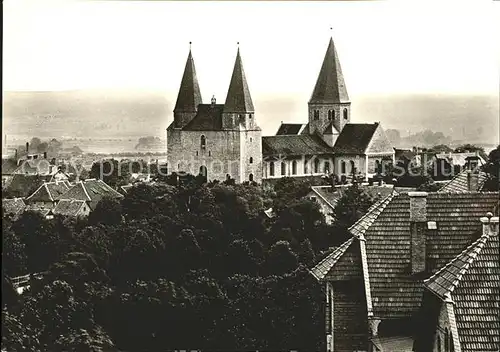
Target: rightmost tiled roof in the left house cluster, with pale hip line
91,191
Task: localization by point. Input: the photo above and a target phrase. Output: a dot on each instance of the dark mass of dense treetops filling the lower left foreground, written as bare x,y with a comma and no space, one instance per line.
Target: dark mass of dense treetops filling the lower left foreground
187,266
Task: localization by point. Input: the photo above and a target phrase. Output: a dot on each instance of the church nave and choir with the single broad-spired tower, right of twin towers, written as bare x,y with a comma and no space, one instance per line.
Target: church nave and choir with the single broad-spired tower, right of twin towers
329,143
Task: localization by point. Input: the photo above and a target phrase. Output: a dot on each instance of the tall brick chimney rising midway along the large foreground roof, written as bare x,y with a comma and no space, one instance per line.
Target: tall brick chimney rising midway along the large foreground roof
418,225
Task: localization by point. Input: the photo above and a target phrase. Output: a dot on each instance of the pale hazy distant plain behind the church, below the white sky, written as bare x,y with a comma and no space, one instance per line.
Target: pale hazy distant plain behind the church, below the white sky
114,121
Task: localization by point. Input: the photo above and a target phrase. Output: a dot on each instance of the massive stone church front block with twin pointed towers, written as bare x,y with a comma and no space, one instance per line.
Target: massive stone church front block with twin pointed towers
219,141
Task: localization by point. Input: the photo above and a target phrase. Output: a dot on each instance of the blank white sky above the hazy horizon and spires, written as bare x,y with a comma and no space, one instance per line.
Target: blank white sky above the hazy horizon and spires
385,47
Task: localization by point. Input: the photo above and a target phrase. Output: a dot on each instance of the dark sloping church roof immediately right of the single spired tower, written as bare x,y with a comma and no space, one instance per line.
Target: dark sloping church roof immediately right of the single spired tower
355,138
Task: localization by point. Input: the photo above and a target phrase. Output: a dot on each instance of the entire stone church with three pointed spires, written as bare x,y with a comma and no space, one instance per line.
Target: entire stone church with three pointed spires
224,141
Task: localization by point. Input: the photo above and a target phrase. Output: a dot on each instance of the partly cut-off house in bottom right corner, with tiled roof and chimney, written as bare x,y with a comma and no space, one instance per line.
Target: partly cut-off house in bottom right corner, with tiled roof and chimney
460,306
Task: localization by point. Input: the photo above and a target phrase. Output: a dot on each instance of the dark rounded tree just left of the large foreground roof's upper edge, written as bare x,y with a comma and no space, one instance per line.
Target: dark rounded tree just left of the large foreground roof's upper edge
352,205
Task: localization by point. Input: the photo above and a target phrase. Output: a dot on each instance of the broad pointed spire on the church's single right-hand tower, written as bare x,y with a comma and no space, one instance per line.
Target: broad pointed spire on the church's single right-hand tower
330,86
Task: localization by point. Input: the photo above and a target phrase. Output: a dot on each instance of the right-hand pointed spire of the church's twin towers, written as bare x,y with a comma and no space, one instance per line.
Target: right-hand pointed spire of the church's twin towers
238,97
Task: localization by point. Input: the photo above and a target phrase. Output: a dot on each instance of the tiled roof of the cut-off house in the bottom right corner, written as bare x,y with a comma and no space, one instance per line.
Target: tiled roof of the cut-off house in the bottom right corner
472,280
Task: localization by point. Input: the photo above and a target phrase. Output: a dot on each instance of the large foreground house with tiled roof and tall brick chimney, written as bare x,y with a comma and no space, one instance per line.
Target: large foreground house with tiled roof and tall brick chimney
375,281
